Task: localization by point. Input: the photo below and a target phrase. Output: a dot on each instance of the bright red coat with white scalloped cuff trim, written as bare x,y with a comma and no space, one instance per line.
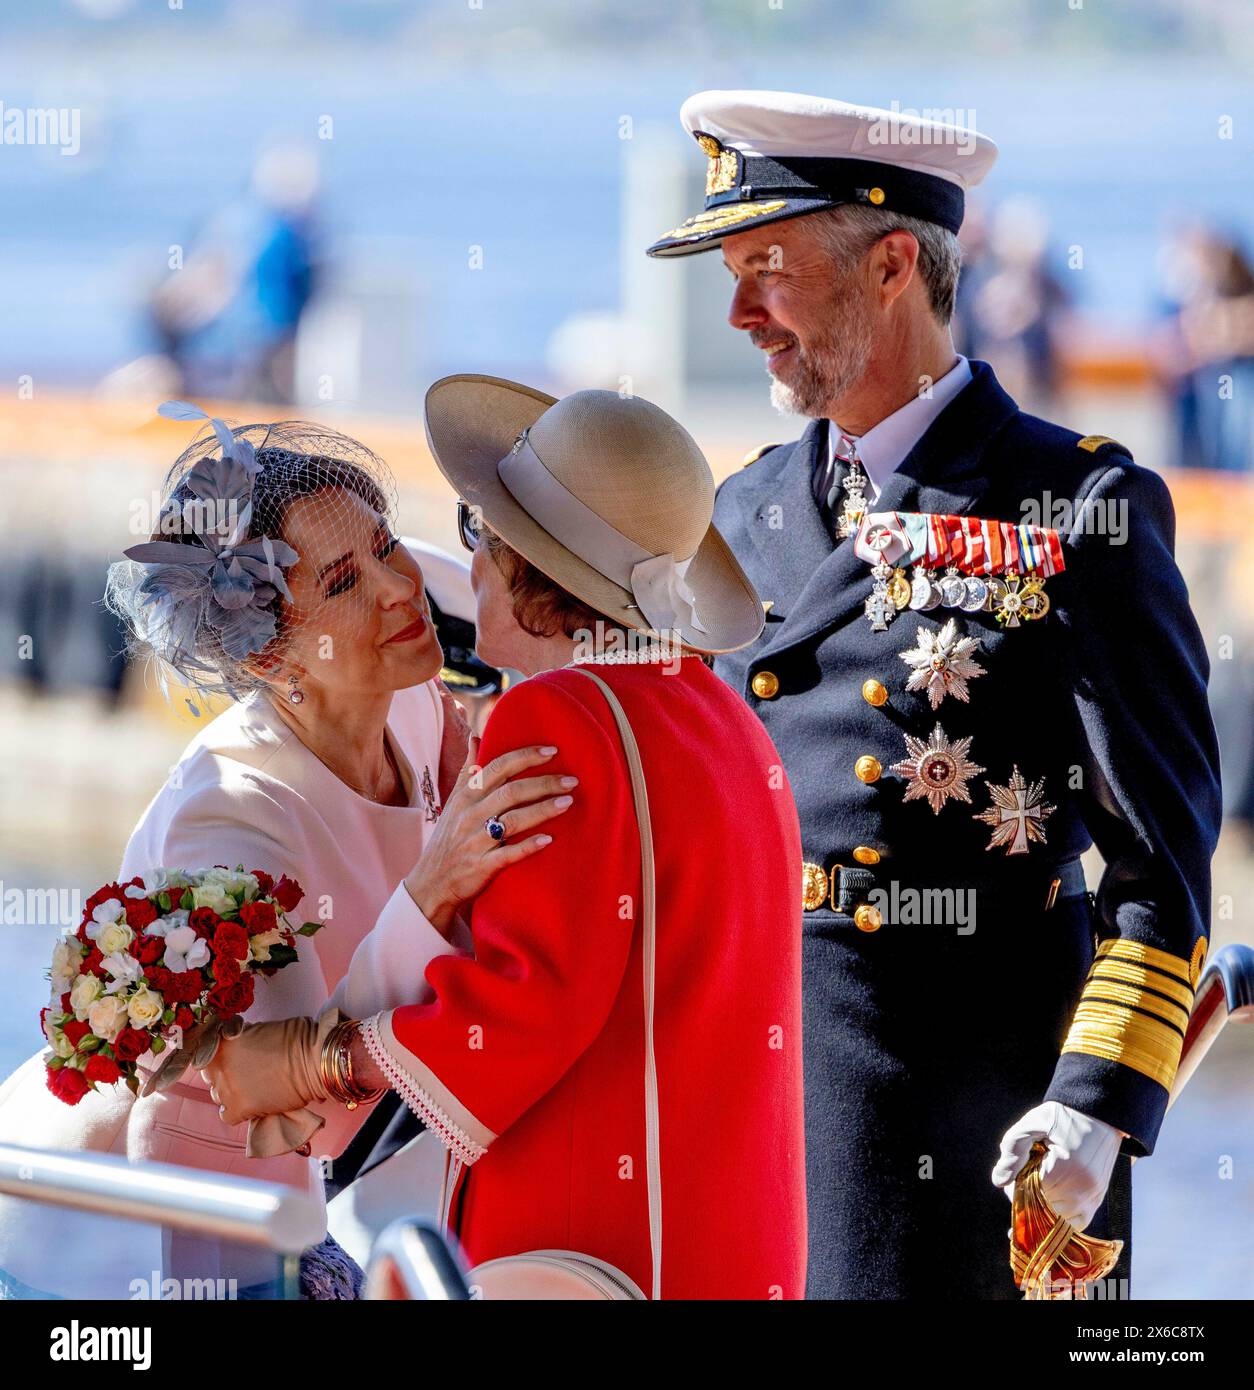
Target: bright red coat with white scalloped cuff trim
530,1063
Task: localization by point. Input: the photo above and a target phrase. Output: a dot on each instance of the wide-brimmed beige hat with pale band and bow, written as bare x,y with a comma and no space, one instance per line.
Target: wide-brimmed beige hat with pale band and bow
607,496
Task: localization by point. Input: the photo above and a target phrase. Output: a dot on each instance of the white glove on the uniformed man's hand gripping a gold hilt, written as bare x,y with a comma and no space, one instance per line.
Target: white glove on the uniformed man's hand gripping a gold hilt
1077,1171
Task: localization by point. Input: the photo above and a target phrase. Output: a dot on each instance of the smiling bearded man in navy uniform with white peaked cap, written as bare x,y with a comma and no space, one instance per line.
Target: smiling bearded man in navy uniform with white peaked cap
957,728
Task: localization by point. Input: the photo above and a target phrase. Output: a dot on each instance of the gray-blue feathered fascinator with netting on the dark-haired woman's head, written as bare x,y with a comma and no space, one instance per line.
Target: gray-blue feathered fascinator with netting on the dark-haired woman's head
208,593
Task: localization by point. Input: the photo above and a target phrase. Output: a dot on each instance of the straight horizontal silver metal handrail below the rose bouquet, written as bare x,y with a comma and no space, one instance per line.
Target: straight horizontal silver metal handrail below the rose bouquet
162,1195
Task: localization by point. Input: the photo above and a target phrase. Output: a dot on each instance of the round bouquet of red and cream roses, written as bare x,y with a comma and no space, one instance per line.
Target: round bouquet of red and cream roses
158,964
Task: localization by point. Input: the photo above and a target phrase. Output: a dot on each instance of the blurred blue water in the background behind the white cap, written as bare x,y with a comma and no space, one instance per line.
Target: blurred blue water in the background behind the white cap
522,156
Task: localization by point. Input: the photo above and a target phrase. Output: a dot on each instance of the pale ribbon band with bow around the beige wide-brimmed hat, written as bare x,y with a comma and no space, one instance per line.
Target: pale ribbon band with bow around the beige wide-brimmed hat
658,582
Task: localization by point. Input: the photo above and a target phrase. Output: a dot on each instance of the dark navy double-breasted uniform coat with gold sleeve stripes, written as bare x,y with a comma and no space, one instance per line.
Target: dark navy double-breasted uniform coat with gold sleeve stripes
927,1042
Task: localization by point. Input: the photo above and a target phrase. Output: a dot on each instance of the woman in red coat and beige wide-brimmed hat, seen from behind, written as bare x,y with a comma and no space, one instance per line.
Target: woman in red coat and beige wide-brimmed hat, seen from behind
529,1058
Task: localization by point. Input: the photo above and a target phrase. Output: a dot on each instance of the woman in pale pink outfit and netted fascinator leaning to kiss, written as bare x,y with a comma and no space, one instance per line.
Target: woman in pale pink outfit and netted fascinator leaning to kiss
275,576
